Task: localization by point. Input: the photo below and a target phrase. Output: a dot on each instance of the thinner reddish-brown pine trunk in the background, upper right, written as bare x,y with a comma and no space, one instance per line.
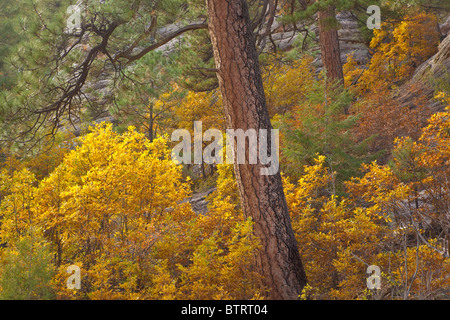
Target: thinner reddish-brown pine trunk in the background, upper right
329,45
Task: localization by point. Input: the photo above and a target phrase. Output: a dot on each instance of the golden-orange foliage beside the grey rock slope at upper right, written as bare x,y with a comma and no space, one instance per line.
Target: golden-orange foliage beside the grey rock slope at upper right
398,50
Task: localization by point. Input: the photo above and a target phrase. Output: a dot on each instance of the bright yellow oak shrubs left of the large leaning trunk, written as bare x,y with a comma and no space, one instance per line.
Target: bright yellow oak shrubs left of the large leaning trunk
114,207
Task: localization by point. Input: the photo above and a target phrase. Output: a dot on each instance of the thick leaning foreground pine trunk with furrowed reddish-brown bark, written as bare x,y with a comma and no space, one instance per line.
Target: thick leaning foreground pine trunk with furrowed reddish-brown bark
262,196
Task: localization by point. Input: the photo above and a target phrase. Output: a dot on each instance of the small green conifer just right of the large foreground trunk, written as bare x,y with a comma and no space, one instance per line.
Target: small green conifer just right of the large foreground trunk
318,126
